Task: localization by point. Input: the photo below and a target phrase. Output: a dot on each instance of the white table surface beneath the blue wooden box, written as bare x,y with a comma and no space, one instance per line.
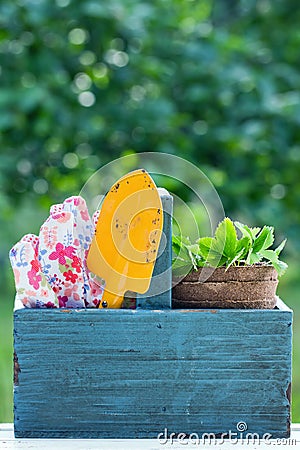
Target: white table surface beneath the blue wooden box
7,441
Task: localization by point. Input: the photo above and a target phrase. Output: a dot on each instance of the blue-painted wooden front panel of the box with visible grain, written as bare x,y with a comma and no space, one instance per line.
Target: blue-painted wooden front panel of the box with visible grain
133,373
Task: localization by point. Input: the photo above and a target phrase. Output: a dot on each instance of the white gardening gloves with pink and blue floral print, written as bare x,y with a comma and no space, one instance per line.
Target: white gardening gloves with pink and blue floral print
59,263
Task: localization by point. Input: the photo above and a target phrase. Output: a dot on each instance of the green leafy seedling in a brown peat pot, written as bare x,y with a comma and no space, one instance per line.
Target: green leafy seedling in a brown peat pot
228,271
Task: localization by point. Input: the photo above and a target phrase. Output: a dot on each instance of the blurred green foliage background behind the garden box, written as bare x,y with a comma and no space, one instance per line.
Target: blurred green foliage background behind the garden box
82,83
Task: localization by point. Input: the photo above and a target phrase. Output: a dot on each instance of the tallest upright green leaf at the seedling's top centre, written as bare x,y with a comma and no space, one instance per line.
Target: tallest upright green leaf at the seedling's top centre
226,239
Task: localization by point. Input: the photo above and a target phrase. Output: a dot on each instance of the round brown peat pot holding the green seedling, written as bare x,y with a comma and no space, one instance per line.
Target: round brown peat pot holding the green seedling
237,287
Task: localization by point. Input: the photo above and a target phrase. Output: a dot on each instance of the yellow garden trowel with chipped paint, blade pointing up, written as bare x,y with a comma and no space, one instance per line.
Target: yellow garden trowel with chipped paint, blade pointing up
128,232
